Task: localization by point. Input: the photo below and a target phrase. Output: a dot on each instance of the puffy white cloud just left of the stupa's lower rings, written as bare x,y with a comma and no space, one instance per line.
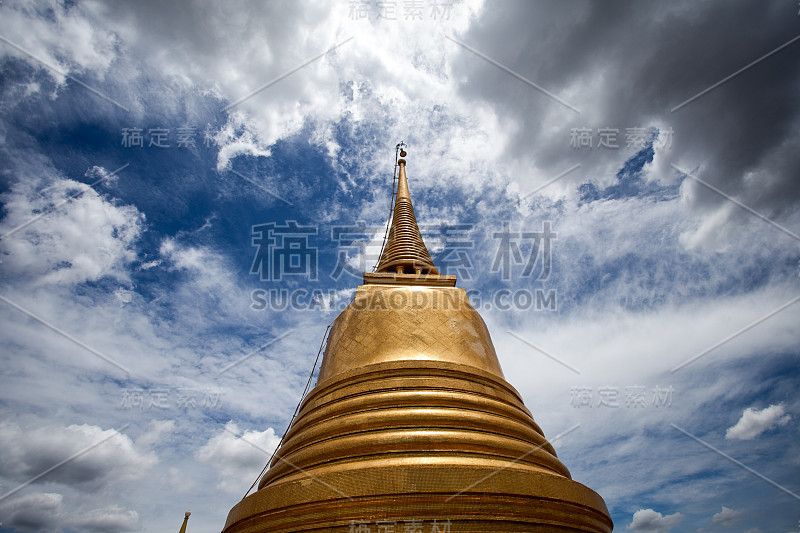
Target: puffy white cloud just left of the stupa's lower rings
238,459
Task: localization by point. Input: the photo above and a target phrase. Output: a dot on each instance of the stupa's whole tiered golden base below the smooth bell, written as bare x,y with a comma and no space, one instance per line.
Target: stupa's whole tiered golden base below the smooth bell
430,443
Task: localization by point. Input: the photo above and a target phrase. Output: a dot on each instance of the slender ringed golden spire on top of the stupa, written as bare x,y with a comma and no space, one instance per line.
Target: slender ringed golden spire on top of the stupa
405,251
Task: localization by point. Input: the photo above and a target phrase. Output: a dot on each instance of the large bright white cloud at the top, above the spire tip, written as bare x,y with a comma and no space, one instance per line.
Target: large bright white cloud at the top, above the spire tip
386,74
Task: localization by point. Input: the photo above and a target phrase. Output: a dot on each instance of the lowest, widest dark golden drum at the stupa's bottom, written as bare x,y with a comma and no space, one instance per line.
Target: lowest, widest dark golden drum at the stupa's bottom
370,497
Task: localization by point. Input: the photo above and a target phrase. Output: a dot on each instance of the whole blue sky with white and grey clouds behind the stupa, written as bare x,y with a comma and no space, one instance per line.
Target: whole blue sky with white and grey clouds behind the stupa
159,161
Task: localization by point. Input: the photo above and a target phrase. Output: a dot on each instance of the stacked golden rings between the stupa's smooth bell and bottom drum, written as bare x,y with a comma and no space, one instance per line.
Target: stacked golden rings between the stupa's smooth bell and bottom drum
429,412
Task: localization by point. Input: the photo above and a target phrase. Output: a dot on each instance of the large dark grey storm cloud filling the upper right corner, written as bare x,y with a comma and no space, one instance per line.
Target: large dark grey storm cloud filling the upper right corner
627,64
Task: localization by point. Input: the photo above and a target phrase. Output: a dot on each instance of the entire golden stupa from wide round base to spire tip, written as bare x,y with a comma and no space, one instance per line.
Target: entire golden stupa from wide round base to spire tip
411,426
